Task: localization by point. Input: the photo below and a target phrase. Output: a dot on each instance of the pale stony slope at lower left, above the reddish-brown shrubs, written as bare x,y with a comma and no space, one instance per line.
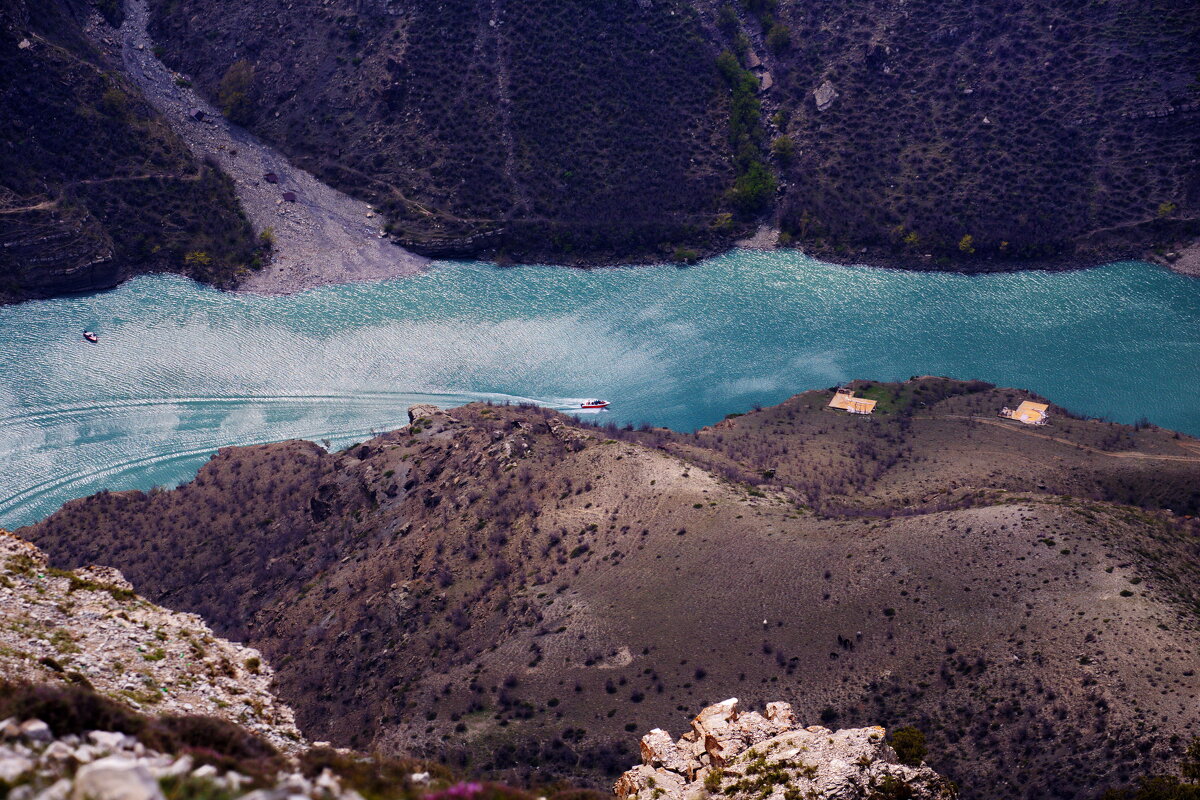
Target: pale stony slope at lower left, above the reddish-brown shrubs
88,628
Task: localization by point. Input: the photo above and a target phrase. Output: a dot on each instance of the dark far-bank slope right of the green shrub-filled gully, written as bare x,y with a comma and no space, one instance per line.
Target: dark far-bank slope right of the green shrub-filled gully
1040,130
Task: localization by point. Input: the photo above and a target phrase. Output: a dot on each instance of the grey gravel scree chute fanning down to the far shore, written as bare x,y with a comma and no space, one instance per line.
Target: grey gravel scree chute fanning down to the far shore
325,237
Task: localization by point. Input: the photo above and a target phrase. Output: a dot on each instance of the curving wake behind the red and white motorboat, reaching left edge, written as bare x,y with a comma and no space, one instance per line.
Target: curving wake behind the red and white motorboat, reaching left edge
57,453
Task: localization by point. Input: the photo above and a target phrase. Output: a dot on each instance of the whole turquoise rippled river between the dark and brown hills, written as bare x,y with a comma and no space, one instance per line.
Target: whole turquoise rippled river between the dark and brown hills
183,370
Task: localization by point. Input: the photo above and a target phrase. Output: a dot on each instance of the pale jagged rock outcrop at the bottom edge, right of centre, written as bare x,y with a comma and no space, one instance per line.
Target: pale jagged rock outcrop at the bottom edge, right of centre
751,755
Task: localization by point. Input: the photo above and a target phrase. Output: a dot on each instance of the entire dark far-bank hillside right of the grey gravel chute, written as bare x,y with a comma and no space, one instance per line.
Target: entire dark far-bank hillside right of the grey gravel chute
935,135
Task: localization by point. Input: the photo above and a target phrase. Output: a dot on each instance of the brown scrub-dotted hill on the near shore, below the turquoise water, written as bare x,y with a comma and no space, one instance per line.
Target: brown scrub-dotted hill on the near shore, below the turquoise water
505,590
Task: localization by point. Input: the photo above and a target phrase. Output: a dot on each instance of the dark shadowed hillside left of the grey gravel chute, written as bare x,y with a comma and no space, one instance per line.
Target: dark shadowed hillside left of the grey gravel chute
94,188
